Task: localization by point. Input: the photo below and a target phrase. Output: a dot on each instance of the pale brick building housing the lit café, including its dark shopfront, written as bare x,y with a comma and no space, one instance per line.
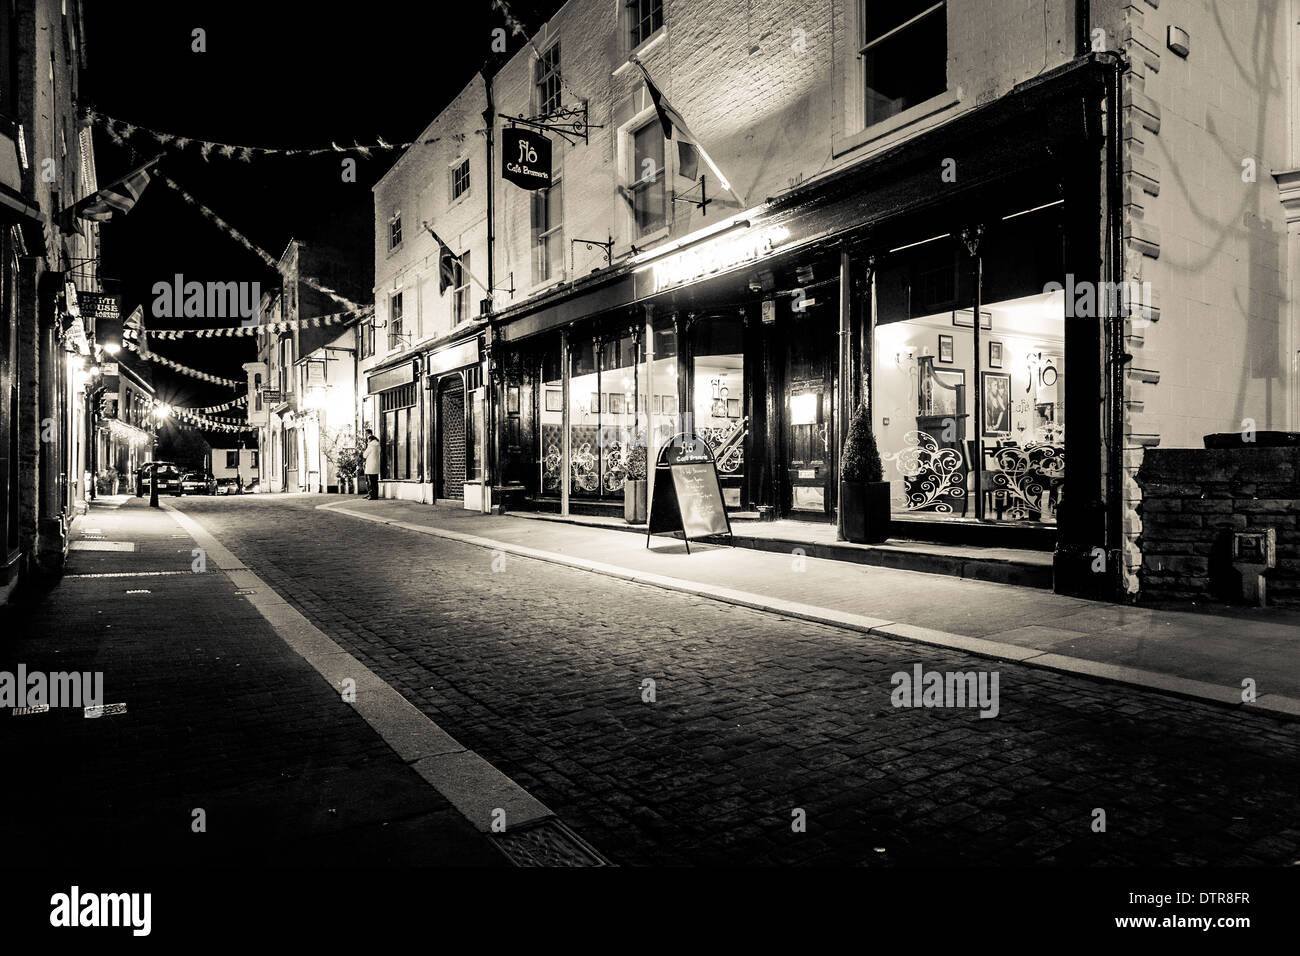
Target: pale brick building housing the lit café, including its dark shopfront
930,211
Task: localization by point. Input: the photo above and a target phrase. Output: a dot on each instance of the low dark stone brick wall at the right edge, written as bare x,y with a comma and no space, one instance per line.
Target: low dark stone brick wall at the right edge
1193,499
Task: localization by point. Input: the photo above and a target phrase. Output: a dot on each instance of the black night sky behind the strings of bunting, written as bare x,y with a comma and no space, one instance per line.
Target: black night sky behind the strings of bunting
275,75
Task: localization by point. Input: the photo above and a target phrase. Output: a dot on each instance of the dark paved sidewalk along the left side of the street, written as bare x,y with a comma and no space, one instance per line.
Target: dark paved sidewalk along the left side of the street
222,717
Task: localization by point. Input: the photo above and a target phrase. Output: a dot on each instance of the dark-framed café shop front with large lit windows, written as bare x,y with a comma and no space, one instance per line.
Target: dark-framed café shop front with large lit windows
939,306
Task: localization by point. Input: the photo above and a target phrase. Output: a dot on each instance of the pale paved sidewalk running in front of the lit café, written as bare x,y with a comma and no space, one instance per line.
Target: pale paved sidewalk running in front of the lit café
1199,655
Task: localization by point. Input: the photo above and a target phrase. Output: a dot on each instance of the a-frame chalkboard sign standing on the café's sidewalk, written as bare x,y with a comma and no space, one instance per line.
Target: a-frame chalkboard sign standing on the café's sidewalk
688,498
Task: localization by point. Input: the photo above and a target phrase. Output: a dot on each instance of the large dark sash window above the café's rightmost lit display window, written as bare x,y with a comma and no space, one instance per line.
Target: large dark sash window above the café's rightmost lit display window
904,55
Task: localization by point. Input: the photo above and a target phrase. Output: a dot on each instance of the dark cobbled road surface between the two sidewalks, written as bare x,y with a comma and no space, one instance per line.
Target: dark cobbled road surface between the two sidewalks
757,719
